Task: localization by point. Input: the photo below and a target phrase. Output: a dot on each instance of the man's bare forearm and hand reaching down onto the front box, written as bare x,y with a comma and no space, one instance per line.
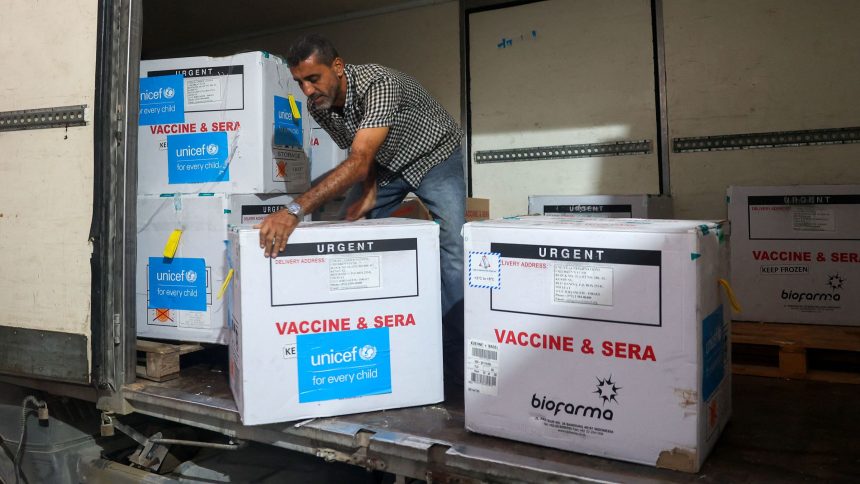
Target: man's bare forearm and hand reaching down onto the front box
277,227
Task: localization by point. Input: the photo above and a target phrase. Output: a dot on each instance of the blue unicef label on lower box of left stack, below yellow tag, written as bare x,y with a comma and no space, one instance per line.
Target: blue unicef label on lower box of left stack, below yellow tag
177,284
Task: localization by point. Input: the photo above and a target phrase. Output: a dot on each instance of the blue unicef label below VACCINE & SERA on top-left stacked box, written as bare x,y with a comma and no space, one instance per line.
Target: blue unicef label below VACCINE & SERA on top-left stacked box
197,158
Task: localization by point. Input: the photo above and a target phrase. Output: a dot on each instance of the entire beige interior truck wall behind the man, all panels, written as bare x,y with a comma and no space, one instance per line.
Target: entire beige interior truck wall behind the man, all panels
732,67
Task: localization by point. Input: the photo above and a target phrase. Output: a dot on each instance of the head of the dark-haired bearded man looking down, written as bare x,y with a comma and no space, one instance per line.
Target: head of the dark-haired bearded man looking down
317,67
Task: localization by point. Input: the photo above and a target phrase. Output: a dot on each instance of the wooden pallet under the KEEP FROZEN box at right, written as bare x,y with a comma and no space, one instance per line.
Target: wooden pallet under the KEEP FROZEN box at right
792,342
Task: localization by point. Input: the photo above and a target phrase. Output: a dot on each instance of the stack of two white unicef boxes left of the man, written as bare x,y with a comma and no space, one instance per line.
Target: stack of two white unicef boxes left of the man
214,135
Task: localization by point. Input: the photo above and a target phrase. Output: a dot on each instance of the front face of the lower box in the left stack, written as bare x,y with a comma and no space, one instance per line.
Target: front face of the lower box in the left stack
181,304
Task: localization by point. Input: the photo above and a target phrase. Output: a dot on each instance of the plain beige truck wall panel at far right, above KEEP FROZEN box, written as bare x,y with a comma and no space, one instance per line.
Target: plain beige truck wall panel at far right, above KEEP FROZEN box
737,66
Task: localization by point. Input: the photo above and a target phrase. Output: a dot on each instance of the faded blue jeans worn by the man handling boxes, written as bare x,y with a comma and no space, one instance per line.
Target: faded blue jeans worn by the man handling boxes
443,191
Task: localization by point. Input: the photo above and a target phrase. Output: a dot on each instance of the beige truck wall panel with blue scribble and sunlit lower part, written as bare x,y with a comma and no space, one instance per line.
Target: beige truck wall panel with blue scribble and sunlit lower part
562,101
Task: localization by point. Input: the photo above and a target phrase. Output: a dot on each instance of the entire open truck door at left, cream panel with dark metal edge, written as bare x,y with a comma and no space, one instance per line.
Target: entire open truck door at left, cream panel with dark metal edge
64,153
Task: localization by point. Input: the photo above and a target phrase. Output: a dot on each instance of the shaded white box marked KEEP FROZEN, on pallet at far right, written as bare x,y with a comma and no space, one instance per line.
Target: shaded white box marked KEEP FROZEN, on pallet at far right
796,253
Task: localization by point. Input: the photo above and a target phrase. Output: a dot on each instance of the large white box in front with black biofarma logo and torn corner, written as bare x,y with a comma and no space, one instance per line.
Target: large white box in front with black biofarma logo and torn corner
600,336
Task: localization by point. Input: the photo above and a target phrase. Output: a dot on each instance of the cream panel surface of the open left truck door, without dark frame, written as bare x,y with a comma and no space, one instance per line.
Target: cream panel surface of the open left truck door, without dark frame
46,175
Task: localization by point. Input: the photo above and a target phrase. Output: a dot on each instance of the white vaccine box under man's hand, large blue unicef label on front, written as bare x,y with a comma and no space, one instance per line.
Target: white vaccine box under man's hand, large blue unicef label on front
347,320
